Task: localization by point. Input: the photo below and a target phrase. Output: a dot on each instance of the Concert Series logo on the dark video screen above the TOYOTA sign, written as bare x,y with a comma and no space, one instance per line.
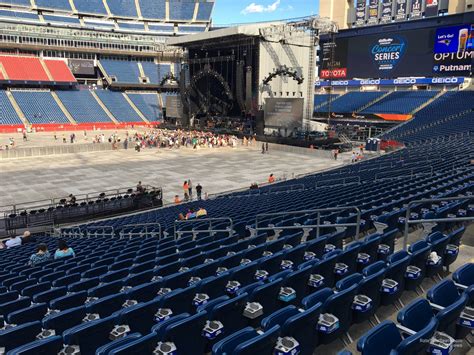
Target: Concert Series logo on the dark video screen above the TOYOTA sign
387,52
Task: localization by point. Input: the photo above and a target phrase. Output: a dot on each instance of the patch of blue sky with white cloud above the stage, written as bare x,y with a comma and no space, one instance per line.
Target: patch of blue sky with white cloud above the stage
240,11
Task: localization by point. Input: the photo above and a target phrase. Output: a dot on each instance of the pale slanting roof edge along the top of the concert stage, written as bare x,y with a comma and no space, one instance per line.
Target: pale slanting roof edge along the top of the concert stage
252,30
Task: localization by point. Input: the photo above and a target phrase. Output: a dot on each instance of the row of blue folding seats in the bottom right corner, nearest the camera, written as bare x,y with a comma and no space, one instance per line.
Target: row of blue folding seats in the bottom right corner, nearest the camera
434,323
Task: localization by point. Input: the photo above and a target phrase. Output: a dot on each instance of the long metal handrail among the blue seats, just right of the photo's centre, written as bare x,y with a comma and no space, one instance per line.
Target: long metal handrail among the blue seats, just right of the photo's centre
318,225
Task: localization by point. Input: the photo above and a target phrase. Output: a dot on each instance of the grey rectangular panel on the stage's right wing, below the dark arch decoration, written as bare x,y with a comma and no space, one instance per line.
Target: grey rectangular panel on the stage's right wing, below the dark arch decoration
284,112
